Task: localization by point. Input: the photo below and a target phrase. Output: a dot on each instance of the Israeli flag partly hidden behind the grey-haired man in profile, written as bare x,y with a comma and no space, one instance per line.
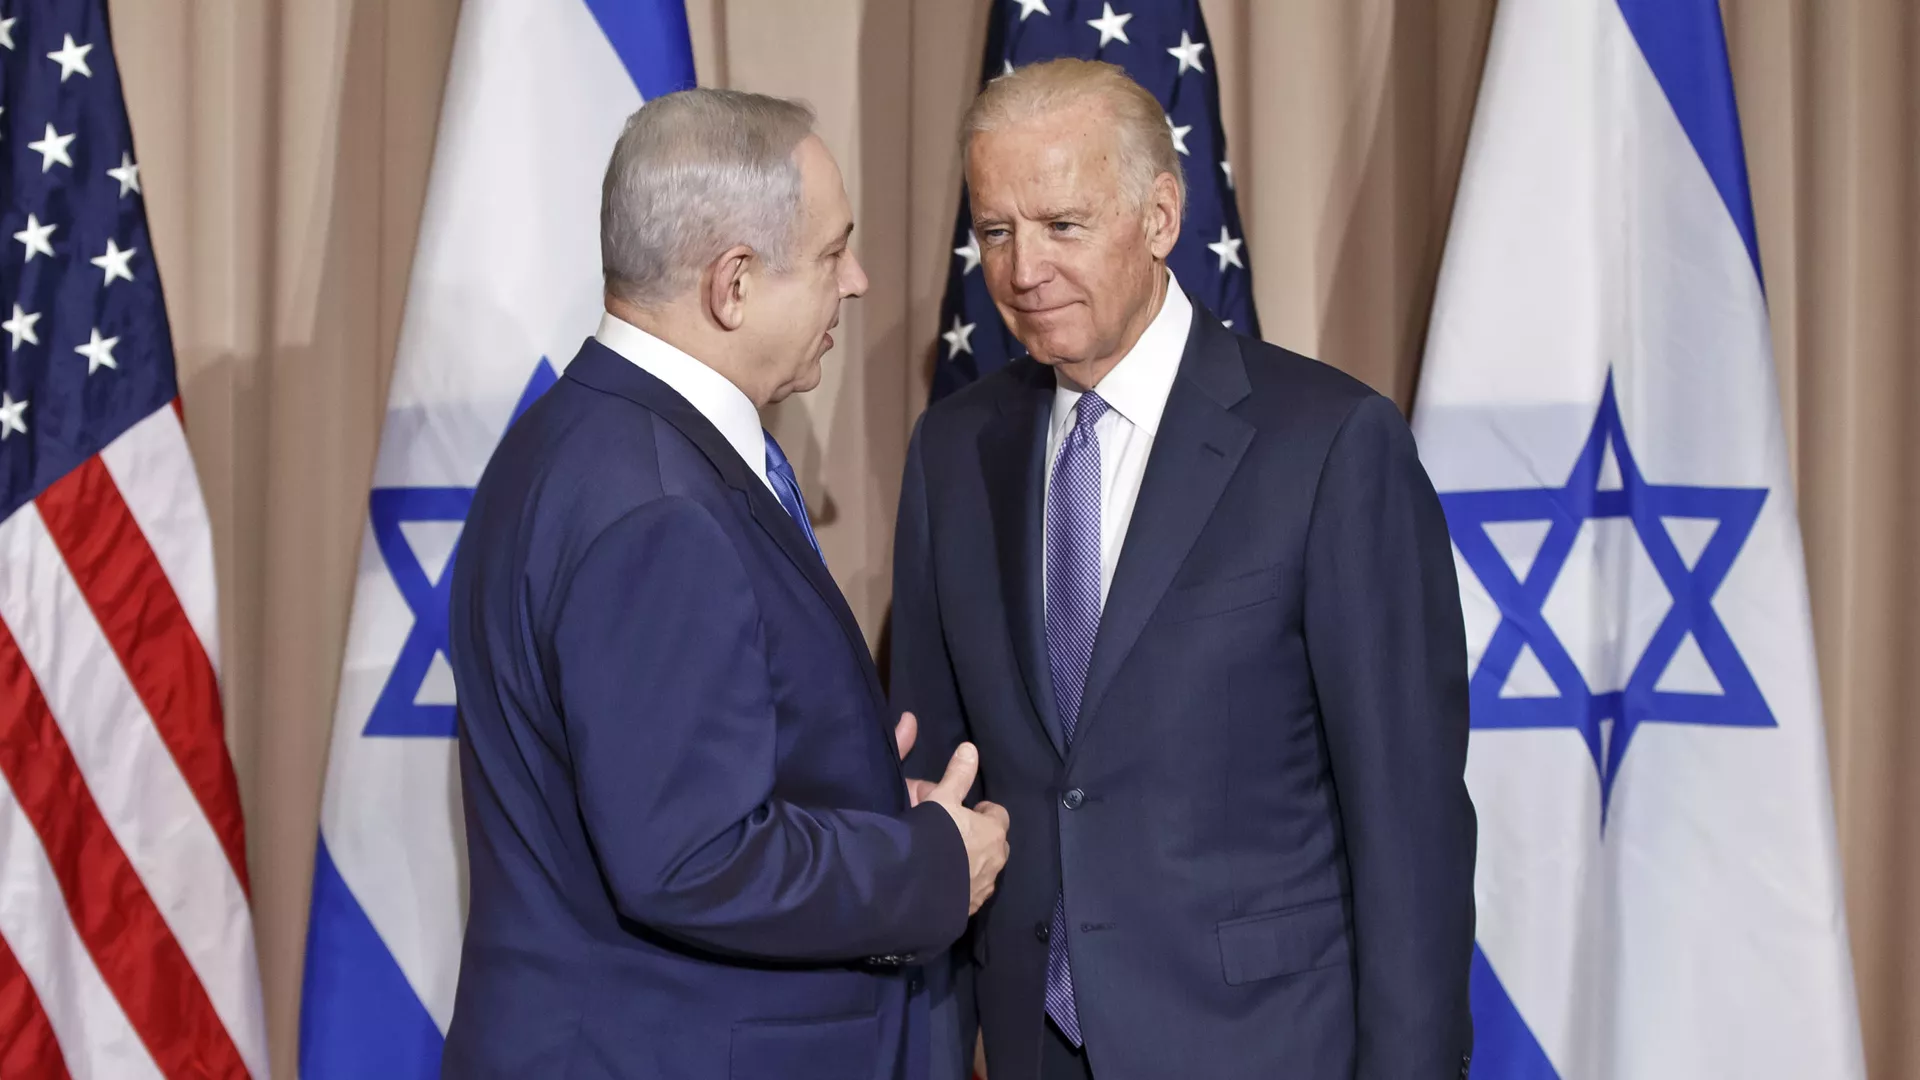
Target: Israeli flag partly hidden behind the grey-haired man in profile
506,285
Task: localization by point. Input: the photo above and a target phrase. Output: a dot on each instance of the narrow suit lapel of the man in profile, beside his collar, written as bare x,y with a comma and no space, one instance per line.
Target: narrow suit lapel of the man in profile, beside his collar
606,370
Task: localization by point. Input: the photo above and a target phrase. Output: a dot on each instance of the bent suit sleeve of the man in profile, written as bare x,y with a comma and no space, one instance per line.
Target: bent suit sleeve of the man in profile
671,722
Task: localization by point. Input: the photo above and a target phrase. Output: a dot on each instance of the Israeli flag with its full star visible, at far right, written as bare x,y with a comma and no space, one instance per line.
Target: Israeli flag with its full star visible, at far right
1658,881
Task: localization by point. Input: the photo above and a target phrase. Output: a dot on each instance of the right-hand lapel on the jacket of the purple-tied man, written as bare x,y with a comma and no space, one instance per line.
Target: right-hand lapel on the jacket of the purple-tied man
1195,454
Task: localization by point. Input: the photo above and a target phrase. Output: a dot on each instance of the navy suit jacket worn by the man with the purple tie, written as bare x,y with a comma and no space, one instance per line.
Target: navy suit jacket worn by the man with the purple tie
1262,823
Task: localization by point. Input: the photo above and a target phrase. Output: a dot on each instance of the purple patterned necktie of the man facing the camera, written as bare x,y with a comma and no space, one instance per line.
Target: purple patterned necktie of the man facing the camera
1072,622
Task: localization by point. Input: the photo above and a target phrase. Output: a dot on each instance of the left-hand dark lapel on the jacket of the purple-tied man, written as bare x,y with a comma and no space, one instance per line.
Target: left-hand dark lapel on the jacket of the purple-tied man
1013,451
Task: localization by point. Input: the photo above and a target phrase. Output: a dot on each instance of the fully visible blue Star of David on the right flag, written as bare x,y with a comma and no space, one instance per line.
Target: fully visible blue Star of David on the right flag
1522,604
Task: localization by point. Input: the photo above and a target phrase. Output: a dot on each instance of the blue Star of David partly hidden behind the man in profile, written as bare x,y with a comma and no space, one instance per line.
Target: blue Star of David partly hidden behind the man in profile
396,714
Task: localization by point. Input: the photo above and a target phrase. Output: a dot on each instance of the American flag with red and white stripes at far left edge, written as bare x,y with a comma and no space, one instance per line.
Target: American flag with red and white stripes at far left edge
126,937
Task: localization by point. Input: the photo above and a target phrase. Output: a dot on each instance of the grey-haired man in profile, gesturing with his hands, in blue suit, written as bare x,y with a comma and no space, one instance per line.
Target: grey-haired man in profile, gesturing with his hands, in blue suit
694,852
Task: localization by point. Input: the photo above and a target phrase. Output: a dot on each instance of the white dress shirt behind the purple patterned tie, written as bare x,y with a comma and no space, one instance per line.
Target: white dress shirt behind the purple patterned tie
1138,395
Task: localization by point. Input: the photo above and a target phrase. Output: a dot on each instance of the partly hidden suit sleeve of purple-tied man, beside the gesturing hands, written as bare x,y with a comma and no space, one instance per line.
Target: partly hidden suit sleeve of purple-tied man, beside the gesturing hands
924,683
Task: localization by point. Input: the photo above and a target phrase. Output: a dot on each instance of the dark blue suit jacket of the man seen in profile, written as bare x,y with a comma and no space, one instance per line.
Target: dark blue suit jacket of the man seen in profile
686,820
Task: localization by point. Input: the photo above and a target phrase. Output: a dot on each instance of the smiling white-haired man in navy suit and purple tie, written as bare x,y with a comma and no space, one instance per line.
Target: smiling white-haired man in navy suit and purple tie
1193,599
